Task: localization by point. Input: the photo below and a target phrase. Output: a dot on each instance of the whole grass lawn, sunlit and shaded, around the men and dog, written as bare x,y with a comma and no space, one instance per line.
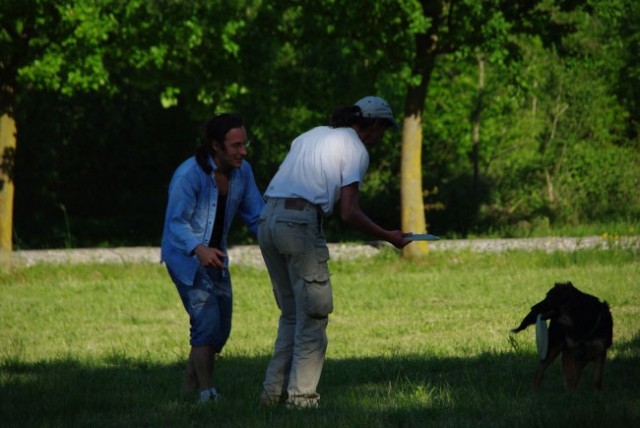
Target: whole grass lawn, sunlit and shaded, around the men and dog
410,345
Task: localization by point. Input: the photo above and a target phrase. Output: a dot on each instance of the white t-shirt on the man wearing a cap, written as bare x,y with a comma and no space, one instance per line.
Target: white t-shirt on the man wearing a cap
320,162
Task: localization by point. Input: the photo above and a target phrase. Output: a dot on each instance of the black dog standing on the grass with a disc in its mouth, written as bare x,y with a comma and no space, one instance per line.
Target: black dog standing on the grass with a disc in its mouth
581,328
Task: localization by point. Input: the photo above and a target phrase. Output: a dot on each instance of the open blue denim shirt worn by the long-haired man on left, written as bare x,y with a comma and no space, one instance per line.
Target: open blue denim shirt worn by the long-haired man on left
191,213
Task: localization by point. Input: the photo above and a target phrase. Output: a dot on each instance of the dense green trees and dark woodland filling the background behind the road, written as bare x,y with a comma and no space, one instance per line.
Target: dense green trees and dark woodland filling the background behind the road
108,98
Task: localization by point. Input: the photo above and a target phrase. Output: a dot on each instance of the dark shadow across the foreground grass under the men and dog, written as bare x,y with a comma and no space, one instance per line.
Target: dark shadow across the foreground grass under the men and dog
405,391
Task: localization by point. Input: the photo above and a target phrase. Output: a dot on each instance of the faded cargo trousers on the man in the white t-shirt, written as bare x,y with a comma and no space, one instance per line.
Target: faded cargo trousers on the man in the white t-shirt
295,251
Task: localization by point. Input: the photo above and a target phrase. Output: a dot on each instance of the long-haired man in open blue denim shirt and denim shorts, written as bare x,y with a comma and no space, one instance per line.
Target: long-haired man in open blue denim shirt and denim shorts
205,194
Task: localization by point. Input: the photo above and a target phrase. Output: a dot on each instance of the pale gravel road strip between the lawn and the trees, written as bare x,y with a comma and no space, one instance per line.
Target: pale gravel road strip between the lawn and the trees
250,254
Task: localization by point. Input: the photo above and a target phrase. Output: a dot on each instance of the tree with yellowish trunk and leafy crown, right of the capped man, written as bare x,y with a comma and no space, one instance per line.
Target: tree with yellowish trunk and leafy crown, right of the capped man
402,55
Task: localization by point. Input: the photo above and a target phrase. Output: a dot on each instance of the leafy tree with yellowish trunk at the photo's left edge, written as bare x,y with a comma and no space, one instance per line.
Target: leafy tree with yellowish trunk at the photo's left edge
176,51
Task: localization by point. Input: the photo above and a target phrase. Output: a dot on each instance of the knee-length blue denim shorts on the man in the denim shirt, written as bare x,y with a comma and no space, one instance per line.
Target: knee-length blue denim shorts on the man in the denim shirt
209,305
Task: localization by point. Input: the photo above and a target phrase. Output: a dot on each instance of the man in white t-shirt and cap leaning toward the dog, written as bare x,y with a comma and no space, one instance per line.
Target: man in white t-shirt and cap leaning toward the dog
324,166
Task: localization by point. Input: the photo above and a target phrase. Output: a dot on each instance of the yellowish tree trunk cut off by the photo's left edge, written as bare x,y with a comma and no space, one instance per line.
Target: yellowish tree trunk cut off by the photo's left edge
7,161
